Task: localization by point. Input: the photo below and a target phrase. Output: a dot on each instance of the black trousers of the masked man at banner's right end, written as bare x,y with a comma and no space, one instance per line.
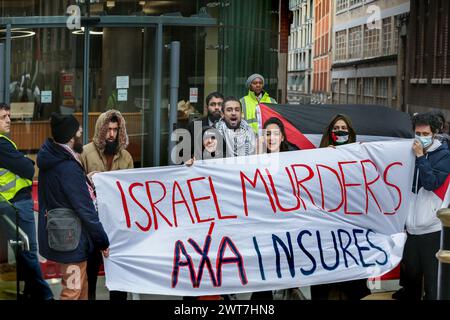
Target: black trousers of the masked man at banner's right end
419,272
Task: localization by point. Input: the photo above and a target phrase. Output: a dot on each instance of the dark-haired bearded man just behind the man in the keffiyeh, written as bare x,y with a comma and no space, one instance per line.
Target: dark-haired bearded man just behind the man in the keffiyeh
214,102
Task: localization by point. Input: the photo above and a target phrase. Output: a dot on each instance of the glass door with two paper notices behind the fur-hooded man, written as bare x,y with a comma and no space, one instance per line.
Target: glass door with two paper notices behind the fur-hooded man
121,77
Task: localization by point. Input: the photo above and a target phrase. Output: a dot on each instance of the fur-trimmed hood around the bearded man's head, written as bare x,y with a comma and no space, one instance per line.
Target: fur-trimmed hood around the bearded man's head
101,130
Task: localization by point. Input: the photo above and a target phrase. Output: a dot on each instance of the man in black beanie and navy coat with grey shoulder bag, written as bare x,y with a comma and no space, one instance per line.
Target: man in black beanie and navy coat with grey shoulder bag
63,185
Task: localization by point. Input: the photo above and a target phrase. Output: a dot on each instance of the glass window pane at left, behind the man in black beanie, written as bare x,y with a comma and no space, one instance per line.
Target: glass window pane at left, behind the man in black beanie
46,77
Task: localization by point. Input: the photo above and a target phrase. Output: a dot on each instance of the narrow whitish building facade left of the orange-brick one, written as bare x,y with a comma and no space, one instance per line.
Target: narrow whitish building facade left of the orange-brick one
300,74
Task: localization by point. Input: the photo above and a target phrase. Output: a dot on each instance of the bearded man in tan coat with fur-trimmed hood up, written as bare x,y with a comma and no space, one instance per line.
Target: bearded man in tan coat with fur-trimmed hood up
105,153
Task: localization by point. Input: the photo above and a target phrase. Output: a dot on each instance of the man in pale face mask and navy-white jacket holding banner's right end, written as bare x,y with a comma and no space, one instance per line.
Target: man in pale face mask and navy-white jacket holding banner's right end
420,266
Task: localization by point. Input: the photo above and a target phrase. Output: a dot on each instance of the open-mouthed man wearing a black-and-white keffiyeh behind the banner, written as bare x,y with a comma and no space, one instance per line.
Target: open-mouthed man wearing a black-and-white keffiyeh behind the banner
239,139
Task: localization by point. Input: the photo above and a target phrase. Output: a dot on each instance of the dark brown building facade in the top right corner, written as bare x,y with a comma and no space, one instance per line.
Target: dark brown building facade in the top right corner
428,58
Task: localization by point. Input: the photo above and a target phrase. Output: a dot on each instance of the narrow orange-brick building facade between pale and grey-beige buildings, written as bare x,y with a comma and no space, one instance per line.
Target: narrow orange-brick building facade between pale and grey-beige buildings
322,59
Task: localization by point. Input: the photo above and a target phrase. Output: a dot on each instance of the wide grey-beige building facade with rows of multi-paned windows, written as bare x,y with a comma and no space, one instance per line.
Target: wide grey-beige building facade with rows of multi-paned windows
369,52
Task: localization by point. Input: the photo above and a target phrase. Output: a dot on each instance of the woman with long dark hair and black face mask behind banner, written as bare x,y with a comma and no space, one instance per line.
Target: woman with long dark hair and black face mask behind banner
339,132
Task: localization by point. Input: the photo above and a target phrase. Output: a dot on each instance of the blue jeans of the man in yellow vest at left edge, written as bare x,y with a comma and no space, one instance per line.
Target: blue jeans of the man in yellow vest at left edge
28,269
